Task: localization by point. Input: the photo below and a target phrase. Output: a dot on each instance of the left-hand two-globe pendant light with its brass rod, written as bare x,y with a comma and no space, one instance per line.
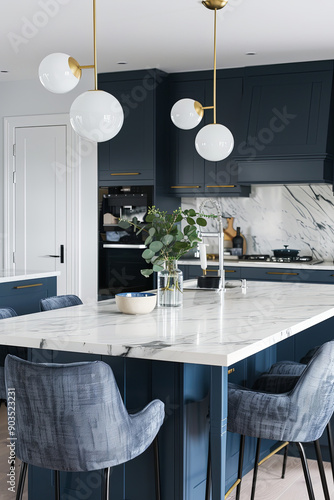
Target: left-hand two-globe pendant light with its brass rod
94,115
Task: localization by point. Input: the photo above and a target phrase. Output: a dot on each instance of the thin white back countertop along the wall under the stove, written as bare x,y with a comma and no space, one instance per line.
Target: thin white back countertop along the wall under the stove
323,266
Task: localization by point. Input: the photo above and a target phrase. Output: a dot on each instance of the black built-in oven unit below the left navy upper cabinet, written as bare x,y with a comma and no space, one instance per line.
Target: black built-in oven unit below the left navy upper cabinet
120,250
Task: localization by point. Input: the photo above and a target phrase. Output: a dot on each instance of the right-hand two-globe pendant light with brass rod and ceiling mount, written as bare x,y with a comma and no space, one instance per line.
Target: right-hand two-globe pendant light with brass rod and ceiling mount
213,142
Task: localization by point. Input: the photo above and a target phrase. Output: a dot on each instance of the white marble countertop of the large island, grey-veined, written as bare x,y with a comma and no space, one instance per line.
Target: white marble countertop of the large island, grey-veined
211,327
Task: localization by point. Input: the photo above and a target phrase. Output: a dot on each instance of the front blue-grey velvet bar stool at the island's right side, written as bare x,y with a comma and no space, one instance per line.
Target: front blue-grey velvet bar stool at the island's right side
298,416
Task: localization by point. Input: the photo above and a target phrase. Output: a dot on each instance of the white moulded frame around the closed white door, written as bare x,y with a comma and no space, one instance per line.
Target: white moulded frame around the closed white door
73,169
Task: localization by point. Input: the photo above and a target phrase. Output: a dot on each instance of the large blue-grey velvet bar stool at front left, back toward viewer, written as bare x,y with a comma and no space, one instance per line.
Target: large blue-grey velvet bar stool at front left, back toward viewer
71,417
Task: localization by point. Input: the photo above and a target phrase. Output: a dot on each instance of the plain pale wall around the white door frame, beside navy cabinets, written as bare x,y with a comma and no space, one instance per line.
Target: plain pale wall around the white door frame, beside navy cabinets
30,98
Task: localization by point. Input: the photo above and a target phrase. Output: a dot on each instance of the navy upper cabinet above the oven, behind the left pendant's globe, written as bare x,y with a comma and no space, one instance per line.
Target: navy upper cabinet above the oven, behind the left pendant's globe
132,156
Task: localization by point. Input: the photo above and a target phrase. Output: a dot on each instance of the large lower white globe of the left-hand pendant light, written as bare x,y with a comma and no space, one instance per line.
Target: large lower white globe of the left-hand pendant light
96,115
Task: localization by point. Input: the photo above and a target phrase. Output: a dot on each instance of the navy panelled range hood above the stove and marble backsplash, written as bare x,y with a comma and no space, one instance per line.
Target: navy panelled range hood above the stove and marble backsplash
286,124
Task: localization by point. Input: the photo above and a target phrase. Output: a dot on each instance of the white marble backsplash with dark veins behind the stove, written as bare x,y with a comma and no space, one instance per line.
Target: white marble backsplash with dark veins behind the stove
299,216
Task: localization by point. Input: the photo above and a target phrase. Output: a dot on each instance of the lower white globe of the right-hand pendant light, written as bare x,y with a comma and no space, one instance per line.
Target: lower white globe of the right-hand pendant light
214,142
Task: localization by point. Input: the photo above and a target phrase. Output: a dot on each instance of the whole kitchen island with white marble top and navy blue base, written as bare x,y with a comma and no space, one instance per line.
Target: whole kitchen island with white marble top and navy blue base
197,342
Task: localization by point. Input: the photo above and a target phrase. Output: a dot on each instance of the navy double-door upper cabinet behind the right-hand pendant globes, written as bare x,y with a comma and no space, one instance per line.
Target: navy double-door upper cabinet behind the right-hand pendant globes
191,174
